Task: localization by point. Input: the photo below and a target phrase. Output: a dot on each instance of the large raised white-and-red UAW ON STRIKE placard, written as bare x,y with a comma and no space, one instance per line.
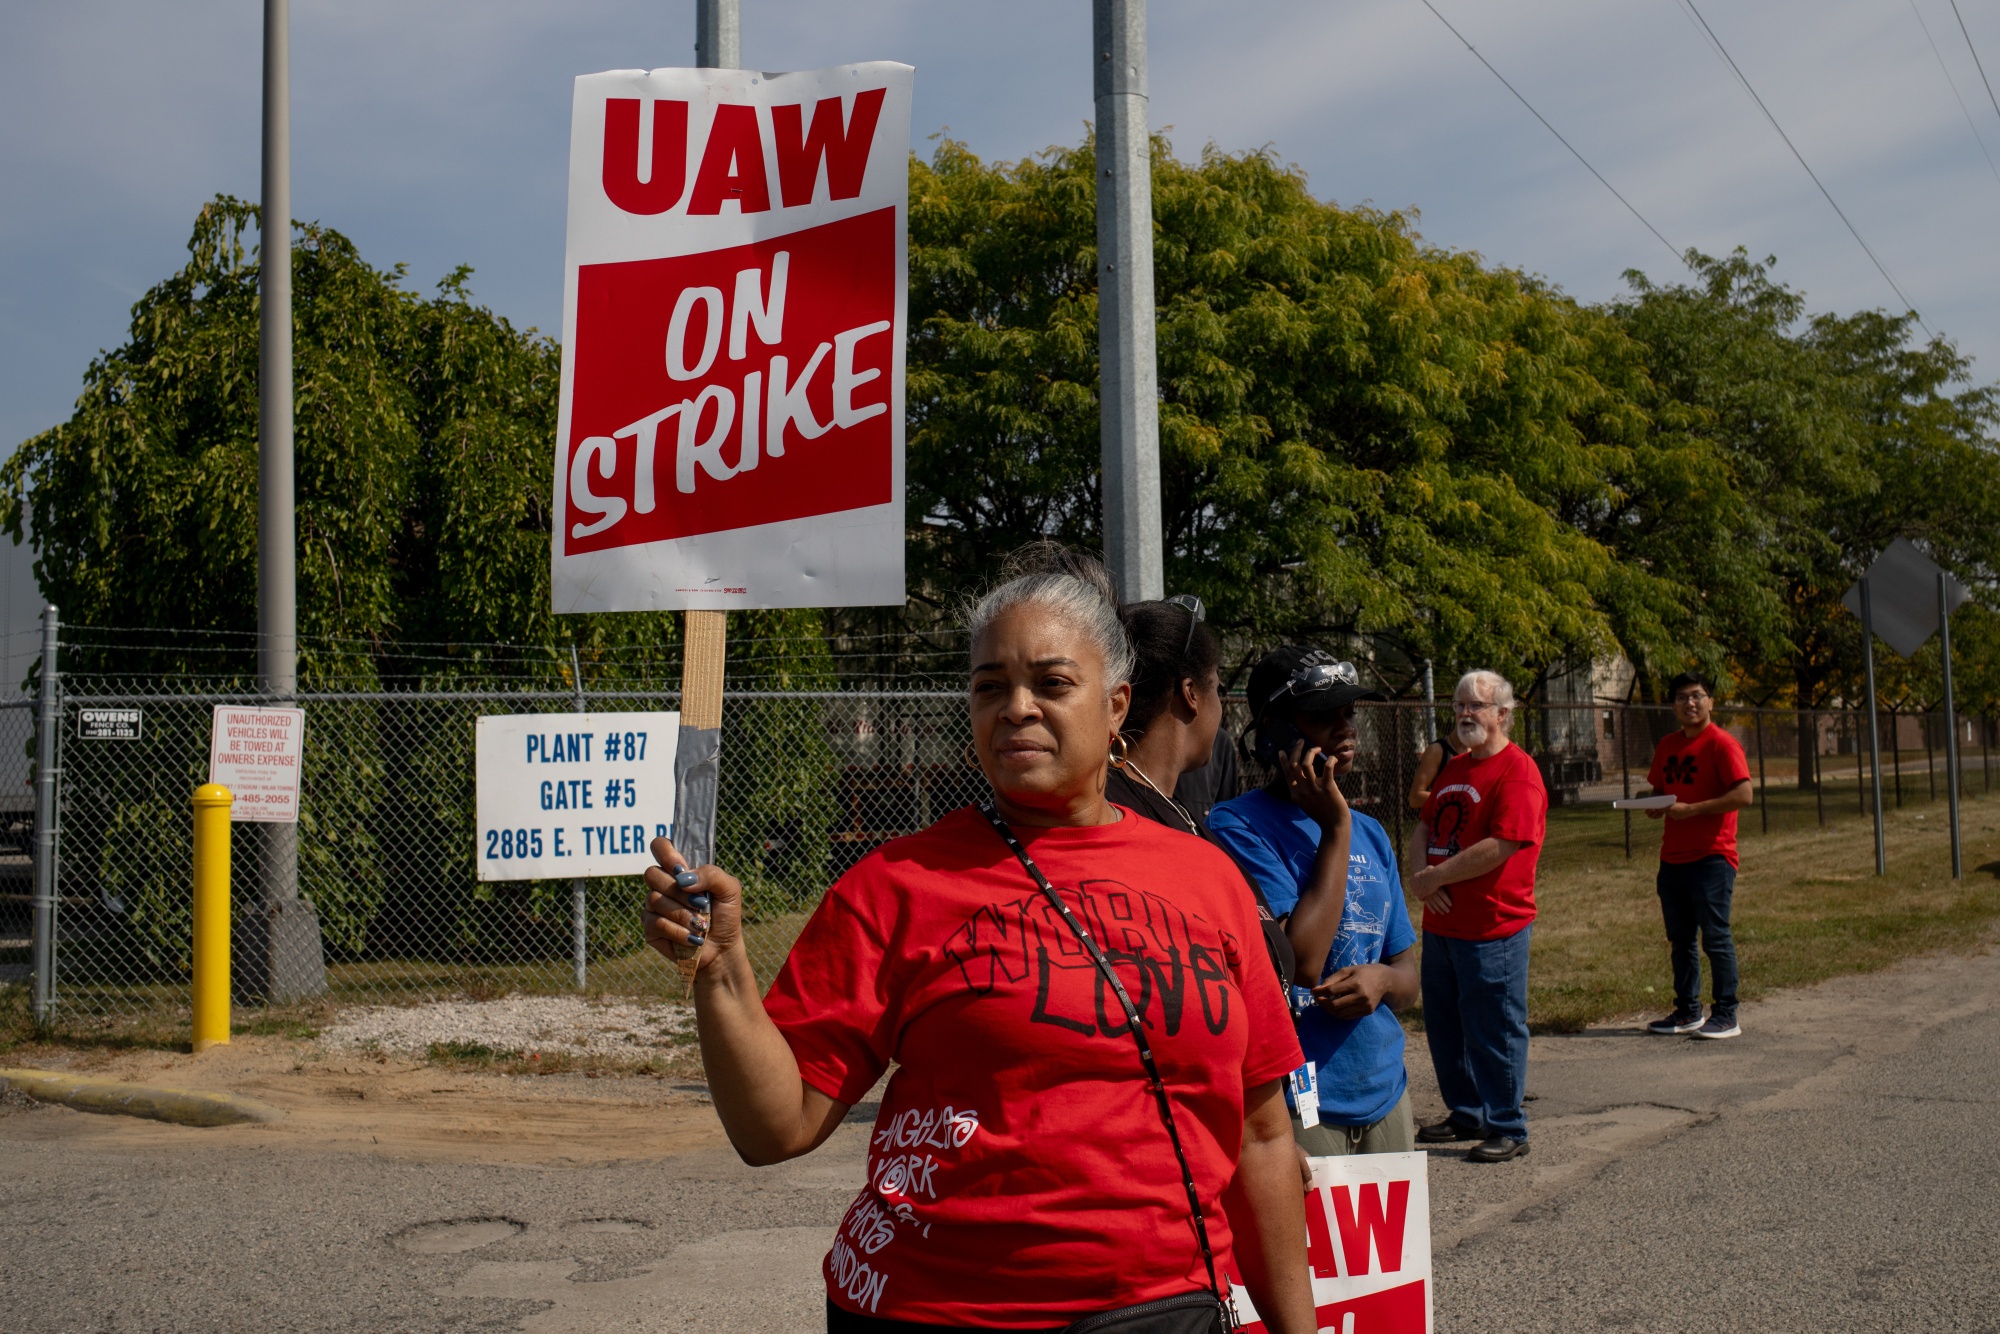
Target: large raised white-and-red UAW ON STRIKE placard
733,341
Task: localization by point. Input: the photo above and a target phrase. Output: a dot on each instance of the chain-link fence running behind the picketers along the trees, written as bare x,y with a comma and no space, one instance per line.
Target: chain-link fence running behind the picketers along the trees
811,783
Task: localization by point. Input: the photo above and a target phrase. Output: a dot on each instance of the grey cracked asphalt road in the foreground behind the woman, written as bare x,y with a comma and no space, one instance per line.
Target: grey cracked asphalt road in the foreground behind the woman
1831,1171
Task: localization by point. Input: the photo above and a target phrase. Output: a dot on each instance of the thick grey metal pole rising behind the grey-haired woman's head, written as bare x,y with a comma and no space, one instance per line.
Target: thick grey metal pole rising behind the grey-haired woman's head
1129,379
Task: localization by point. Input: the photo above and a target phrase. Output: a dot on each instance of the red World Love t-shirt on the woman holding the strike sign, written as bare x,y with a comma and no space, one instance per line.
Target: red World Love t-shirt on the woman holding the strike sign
1021,1175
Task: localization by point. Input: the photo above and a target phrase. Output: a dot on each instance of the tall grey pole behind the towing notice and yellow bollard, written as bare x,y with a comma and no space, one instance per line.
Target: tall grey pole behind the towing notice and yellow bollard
291,949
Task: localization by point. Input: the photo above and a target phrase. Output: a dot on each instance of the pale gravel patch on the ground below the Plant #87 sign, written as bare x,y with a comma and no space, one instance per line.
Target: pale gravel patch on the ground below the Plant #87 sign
515,1025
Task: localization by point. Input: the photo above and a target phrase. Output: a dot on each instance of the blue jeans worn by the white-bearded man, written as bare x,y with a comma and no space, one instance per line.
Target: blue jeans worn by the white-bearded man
1477,1025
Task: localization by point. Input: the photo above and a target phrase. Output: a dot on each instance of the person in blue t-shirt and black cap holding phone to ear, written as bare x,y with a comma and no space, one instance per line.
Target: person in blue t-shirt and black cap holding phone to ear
1331,877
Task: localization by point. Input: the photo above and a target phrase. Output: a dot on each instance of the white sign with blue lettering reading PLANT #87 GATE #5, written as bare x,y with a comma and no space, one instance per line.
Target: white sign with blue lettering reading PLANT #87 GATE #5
573,795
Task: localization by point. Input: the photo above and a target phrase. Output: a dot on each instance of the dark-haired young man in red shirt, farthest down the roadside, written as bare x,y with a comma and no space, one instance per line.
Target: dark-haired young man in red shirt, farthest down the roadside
1707,773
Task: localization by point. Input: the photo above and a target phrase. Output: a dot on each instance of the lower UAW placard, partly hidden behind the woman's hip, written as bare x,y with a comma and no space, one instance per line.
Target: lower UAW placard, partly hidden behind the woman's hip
1367,1245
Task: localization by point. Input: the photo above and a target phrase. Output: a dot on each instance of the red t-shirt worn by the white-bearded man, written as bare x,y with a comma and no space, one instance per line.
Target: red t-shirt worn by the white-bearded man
1471,801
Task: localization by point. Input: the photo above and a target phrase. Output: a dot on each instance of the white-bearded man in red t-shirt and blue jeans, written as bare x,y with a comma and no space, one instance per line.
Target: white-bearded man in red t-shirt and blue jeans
1479,841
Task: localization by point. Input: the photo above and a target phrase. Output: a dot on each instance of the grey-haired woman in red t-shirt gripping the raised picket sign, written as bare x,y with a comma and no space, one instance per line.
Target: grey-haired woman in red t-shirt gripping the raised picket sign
1087,1123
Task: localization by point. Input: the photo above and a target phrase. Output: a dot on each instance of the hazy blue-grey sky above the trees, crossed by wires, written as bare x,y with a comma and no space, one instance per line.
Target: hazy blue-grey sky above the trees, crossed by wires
435,133
